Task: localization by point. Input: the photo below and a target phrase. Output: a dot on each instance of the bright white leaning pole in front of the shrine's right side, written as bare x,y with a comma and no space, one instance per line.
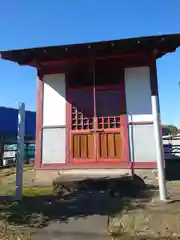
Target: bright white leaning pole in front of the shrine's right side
159,148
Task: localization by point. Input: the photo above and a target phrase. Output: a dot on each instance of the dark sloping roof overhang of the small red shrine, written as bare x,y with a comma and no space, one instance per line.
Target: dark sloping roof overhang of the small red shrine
162,43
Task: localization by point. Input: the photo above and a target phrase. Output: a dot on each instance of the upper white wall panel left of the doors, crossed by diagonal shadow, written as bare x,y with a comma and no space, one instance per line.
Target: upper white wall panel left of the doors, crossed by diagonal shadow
54,100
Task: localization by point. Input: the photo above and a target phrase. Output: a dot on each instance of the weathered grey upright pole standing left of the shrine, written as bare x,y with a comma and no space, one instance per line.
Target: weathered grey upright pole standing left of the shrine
20,152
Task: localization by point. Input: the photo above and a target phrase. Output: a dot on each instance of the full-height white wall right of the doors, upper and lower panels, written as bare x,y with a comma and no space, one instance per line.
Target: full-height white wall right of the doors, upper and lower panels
139,109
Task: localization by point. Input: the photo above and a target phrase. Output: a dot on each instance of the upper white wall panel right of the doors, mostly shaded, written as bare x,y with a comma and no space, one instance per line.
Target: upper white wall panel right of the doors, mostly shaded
138,94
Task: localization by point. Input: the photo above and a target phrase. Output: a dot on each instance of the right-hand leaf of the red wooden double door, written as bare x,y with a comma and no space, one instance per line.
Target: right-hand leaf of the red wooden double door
109,134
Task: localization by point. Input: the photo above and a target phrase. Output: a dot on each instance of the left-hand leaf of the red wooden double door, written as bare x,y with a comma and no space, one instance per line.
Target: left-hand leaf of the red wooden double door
82,137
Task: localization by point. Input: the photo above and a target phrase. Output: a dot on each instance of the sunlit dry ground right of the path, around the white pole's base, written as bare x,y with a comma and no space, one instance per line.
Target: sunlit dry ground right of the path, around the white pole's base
148,220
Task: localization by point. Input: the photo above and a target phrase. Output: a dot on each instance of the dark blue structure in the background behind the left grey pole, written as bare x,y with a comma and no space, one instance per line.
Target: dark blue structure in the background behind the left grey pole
9,121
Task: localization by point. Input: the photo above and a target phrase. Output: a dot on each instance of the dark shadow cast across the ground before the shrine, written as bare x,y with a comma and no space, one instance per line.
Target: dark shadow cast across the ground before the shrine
77,199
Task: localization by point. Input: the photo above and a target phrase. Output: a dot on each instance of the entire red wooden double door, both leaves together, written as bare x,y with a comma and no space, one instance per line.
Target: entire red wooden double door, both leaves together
96,134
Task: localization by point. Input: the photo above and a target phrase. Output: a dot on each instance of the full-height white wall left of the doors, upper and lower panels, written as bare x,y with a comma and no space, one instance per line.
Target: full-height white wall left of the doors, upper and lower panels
54,119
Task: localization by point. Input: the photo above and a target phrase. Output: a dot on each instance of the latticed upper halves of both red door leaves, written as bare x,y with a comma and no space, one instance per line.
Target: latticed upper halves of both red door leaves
107,109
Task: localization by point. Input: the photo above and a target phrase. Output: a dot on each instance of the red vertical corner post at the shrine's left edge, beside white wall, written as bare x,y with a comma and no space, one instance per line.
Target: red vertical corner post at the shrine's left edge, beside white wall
39,121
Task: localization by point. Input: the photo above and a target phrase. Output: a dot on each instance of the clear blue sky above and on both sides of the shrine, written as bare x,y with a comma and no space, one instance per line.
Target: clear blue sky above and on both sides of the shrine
32,23
